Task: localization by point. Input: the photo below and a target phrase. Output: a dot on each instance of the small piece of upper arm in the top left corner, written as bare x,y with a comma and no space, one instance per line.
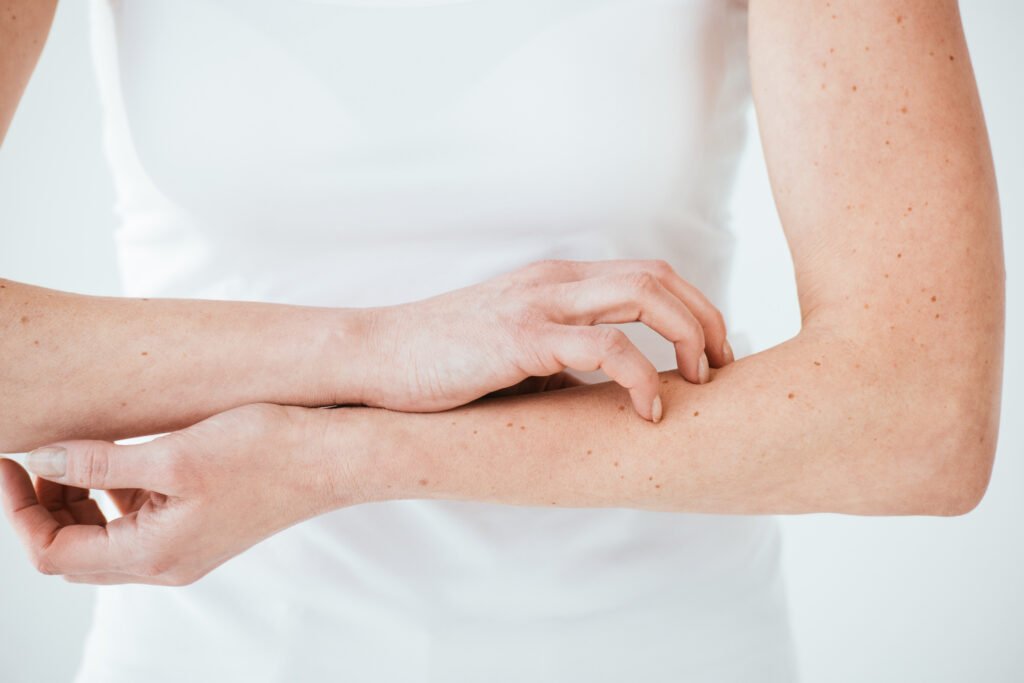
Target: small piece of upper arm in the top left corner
24,27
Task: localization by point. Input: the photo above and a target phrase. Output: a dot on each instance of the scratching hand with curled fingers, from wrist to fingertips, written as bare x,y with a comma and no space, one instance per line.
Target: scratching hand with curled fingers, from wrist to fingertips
451,350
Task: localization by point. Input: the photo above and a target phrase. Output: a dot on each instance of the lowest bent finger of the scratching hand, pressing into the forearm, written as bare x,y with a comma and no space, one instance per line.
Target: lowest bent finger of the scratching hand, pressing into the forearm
589,349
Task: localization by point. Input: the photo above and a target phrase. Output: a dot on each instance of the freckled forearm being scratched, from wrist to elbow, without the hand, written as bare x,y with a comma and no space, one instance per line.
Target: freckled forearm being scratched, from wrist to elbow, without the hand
815,424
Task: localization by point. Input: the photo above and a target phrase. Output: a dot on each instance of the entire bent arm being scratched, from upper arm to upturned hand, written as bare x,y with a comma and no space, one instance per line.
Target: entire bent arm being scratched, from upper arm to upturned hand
886,403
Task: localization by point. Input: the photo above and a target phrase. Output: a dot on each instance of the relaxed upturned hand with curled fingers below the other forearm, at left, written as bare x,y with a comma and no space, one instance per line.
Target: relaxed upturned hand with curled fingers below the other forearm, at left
191,500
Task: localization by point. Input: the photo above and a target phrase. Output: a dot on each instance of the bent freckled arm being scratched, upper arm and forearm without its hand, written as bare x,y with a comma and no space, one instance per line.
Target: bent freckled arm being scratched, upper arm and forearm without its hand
888,400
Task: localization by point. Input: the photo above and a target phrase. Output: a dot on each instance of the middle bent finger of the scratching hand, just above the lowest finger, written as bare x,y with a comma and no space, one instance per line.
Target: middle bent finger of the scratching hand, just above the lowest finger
641,296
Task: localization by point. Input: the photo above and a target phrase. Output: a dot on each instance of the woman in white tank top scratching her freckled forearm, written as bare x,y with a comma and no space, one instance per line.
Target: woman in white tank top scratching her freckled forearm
352,157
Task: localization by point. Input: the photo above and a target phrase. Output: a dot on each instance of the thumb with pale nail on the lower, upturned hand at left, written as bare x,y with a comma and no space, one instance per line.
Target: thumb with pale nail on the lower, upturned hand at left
102,465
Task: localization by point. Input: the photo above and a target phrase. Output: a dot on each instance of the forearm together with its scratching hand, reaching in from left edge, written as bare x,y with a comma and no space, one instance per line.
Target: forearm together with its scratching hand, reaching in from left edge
78,367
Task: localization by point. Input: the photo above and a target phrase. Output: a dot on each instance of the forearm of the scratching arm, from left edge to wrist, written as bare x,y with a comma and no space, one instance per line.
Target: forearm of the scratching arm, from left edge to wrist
80,367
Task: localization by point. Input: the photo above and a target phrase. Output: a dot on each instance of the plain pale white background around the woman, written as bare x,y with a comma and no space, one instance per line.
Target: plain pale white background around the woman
887,601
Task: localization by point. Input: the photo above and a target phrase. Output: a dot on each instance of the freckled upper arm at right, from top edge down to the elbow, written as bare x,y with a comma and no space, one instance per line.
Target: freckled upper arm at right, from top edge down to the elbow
880,165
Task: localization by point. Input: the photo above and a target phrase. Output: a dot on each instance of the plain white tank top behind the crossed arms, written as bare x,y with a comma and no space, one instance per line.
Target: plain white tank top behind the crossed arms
368,153
